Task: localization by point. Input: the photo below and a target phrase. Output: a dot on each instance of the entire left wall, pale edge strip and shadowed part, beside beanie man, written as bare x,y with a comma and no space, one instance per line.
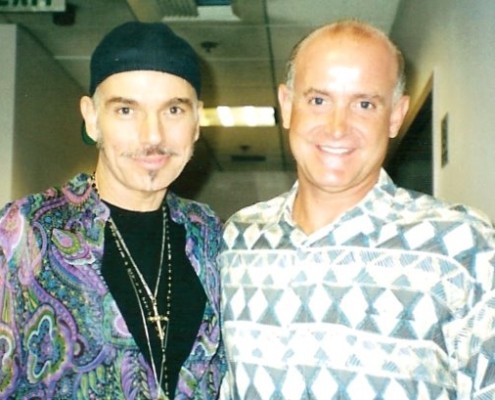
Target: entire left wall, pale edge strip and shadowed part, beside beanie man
39,118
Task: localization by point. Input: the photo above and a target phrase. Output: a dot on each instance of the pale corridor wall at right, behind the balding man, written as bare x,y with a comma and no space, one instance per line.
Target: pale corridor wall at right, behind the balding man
453,43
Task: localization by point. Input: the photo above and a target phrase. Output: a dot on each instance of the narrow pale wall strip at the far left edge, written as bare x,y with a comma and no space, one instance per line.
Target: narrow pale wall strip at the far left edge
7,87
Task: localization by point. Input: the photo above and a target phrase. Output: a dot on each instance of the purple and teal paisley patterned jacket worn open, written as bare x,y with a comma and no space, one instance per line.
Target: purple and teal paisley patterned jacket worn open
61,333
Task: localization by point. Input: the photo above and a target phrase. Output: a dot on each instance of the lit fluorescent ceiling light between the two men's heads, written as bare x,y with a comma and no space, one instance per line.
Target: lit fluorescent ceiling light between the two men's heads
238,116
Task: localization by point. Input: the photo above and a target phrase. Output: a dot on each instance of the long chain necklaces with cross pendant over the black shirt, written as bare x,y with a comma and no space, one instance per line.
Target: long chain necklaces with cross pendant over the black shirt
147,299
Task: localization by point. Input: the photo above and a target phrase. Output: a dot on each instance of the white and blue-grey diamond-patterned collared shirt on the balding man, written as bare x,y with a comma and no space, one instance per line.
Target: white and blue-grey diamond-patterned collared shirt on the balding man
393,300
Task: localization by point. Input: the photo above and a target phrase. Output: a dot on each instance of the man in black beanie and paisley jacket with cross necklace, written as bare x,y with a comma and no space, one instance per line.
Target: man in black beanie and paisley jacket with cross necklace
108,284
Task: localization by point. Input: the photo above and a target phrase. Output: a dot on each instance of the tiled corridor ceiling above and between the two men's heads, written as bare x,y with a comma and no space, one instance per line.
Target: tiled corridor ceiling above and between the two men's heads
243,48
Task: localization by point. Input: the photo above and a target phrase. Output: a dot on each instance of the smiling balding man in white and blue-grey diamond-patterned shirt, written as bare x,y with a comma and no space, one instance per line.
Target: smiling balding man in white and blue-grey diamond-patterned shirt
347,286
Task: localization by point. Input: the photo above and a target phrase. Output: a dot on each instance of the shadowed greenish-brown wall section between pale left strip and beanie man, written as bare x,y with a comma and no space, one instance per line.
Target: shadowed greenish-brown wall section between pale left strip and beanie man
47,145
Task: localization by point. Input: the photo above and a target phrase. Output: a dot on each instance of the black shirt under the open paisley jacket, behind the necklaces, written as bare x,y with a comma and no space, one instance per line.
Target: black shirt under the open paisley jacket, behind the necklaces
142,233
